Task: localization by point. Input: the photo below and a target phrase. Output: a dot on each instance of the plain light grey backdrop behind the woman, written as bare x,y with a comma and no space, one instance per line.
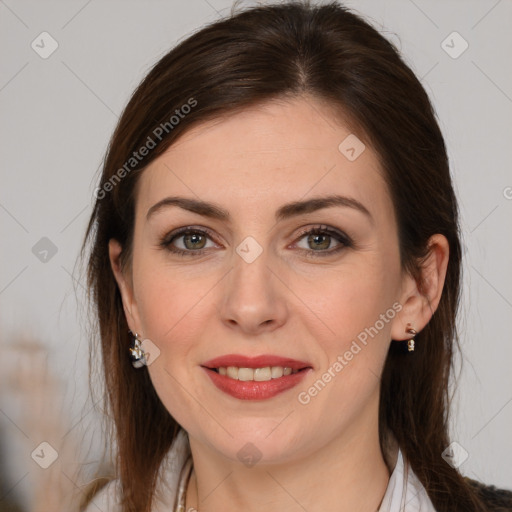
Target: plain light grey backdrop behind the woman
59,112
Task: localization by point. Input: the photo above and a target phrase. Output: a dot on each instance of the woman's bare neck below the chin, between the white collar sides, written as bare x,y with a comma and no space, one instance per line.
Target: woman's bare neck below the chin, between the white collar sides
346,475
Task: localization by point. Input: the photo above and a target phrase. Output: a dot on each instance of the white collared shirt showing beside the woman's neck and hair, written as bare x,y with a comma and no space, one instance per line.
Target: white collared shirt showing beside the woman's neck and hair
404,492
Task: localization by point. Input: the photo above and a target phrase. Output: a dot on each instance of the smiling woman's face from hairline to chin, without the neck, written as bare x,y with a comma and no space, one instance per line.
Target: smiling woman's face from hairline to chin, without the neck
253,283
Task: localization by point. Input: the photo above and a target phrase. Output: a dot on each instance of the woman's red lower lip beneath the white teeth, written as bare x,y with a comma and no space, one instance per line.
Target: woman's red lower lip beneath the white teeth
255,390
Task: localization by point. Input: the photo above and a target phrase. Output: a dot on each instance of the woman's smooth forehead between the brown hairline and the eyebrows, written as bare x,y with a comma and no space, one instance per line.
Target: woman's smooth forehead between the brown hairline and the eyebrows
265,156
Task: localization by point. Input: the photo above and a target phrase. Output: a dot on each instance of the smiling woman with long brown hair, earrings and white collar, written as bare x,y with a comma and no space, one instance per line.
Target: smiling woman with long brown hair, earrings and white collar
275,267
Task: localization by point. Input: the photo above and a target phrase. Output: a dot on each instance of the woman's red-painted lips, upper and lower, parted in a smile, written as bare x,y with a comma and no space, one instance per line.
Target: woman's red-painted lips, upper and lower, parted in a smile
243,389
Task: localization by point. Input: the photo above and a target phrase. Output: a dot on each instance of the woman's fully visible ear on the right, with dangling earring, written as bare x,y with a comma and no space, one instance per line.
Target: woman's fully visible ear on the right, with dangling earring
419,305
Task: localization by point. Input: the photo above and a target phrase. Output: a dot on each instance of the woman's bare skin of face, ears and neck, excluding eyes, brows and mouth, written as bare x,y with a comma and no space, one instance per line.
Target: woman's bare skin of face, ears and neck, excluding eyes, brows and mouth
194,308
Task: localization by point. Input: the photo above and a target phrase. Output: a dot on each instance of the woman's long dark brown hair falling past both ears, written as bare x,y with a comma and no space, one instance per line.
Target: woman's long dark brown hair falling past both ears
259,54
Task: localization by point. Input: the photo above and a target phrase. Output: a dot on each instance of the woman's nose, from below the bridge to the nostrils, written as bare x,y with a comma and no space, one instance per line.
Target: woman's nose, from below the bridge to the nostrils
254,299
